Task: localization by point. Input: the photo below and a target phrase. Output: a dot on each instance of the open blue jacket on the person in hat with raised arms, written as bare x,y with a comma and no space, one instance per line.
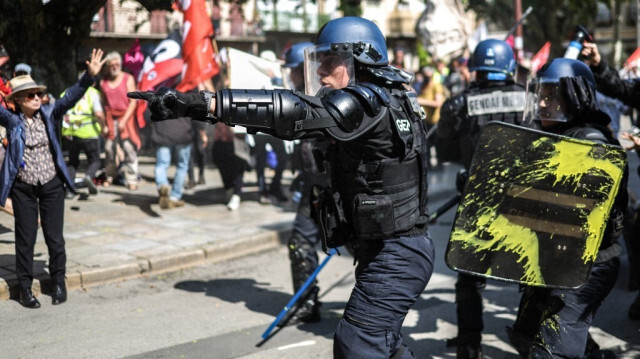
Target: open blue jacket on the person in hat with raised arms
51,115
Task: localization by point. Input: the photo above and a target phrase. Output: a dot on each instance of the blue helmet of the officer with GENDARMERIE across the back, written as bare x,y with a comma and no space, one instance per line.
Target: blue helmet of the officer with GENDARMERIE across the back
493,56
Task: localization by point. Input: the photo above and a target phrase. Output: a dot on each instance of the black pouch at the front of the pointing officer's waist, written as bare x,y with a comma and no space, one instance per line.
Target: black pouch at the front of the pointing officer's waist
326,210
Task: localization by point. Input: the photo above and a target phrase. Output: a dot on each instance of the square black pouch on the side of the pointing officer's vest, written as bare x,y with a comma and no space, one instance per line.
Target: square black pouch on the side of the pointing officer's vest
373,217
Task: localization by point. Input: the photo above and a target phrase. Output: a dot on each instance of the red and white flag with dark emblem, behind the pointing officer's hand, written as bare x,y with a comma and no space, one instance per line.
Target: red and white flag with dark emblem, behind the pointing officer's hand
161,68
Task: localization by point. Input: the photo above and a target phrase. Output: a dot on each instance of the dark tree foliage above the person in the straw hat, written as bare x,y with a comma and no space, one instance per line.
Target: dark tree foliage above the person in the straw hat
46,35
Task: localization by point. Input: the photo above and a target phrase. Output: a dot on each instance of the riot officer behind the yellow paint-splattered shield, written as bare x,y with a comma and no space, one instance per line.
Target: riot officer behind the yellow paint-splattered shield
554,323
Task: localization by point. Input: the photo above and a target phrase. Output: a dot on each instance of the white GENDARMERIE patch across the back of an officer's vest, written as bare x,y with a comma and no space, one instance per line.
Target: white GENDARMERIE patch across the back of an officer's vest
495,102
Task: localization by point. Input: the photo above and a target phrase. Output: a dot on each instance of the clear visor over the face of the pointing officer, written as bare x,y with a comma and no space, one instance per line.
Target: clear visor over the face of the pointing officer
328,66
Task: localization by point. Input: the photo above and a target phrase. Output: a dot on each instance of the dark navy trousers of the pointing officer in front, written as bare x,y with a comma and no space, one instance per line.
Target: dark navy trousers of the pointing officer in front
390,276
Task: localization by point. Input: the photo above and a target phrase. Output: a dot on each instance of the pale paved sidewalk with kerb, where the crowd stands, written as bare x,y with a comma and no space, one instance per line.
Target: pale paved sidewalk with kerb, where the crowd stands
120,234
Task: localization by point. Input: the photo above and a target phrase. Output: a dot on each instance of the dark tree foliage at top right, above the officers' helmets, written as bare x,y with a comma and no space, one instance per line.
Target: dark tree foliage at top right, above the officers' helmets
552,21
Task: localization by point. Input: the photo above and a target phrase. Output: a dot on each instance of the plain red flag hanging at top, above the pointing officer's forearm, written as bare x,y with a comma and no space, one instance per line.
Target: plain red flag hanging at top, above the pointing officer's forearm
197,50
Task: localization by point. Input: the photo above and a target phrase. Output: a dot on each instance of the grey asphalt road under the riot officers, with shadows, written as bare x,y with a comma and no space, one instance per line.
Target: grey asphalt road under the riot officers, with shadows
220,311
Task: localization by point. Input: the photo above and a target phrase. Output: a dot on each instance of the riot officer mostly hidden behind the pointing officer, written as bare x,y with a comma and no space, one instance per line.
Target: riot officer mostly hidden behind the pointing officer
304,236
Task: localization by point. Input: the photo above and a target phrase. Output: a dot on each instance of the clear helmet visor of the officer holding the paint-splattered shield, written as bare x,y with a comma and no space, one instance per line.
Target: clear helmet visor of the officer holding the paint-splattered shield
544,102
